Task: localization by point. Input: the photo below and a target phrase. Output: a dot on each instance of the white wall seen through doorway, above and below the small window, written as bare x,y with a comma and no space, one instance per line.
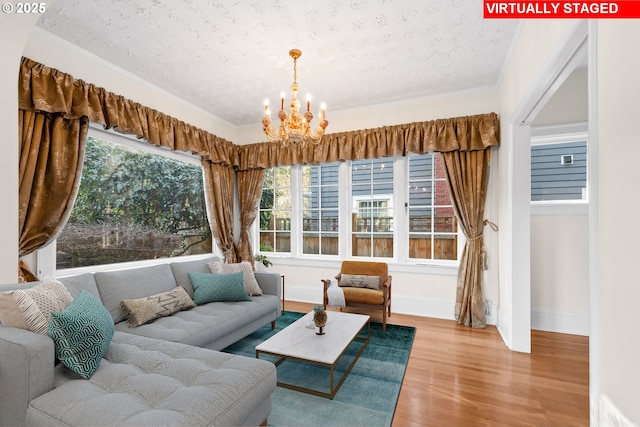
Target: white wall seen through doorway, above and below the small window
560,233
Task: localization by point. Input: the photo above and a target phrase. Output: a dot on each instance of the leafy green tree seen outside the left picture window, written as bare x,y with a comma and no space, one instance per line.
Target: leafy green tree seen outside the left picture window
138,189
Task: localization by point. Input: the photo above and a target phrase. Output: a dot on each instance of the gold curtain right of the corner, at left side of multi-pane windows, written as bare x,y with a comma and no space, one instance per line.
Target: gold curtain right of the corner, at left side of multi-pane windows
250,192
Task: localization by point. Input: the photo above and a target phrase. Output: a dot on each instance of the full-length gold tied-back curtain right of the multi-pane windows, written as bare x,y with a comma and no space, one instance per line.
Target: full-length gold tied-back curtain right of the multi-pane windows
467,178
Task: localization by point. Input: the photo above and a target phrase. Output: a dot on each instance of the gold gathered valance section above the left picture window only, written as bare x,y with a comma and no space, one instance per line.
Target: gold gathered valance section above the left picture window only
48,90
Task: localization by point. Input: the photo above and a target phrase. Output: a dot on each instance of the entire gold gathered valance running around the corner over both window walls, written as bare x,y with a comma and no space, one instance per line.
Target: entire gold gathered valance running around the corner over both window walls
48,90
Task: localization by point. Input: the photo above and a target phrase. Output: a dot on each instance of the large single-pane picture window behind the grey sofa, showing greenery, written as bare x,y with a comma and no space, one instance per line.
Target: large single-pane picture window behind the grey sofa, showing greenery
133,205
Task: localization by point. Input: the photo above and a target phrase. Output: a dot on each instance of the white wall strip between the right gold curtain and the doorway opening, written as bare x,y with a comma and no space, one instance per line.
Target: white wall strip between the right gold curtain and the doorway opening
524,76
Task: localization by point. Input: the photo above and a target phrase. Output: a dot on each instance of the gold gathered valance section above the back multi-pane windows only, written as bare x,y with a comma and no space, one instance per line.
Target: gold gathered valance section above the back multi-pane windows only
469,133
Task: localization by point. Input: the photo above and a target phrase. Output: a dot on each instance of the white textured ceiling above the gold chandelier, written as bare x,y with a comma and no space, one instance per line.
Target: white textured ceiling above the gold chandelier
228,56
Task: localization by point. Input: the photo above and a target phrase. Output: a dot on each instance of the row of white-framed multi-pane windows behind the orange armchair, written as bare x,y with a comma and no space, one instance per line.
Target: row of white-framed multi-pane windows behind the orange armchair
397,209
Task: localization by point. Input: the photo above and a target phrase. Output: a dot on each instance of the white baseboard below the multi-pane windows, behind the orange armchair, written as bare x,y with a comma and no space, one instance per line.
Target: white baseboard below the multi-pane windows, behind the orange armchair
426,307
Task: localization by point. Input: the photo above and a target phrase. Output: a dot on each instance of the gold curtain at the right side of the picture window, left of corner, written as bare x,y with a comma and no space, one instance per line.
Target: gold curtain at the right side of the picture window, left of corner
219,183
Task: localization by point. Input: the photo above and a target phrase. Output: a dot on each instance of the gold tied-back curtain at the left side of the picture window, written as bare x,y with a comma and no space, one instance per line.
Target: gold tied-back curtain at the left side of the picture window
51,155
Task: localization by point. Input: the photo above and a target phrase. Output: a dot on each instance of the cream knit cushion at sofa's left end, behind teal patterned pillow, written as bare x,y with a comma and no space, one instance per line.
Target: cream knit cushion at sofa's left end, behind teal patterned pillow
32,307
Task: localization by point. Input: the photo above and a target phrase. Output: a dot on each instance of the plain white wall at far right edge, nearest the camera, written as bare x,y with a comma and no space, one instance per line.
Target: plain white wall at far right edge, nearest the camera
618,286
